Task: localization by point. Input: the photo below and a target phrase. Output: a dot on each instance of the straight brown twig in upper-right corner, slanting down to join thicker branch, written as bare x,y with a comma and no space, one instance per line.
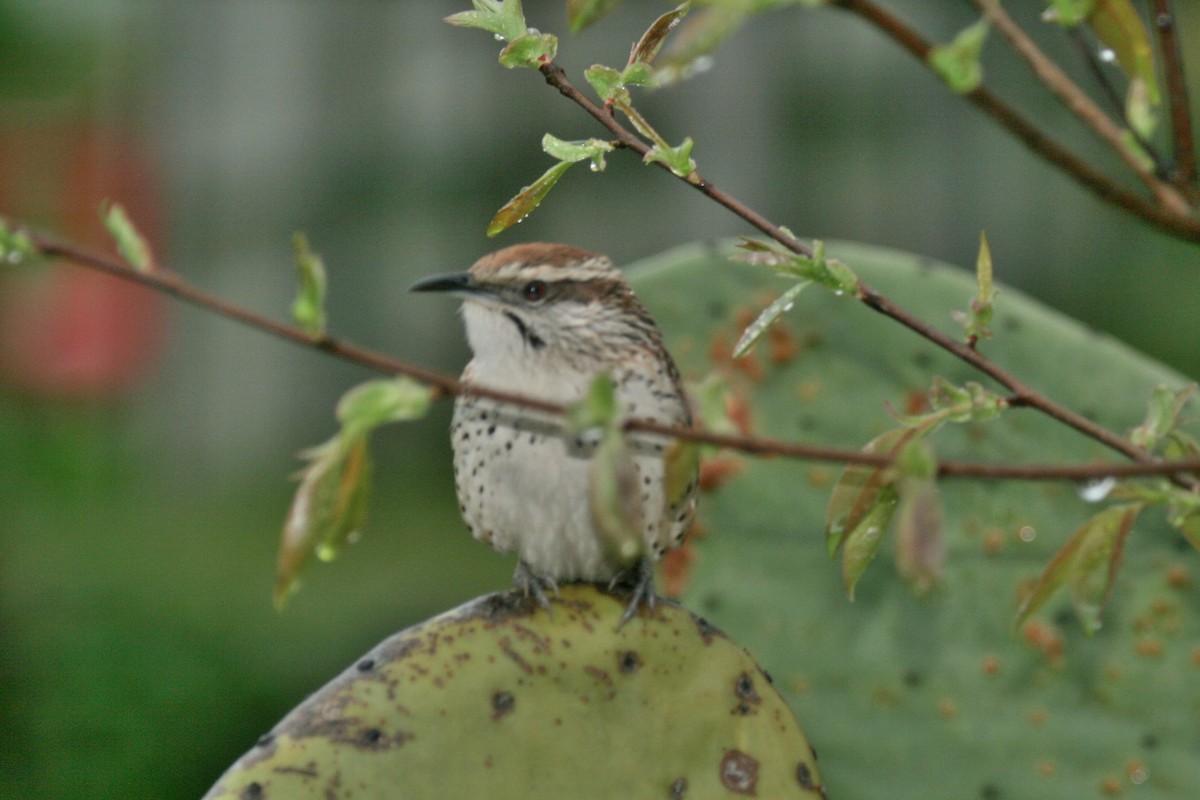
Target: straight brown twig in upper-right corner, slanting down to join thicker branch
1082,106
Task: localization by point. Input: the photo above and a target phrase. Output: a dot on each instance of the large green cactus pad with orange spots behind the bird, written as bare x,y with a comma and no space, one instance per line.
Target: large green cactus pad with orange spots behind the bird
911,696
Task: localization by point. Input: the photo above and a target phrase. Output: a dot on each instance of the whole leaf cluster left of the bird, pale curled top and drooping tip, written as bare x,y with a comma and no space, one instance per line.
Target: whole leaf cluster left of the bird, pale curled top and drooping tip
332,502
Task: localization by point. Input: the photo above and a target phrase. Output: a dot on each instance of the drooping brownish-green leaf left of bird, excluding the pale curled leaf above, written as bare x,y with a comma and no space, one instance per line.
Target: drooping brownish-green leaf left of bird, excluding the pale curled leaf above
327,512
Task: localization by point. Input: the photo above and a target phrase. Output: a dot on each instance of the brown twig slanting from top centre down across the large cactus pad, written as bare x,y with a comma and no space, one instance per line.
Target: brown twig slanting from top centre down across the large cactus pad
1023,395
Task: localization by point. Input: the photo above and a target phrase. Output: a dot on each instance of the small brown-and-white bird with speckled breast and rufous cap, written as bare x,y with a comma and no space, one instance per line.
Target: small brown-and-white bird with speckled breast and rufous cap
543,322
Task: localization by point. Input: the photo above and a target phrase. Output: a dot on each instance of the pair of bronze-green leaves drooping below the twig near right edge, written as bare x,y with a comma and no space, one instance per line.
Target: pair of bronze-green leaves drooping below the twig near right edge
1088,564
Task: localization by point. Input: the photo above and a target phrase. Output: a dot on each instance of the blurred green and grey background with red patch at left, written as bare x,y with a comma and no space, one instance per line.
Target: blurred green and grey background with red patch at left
146,448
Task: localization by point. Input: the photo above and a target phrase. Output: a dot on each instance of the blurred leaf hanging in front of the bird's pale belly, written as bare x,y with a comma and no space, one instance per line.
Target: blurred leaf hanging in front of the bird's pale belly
615,500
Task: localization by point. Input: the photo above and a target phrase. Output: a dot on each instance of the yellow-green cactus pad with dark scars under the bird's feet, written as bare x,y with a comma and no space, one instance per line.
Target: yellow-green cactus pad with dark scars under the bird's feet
500,700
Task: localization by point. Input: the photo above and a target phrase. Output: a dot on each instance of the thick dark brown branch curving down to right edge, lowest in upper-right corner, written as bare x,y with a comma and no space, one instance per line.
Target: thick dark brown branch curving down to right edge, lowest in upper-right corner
1181,226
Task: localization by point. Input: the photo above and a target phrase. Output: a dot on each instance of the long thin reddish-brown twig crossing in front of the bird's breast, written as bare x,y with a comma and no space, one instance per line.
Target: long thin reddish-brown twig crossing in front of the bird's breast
170,284
